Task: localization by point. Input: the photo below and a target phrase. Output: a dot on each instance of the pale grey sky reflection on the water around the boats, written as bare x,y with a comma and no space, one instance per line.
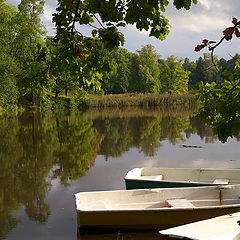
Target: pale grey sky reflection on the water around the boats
109,174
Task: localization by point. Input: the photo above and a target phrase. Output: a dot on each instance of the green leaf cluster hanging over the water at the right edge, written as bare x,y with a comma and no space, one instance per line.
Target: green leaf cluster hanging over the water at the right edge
221,105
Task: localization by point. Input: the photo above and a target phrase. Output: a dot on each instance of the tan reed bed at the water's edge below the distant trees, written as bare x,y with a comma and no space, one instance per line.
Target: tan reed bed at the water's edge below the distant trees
142,100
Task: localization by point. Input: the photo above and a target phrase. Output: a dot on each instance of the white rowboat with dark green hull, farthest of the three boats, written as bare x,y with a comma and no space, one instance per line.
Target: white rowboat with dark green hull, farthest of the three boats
140,178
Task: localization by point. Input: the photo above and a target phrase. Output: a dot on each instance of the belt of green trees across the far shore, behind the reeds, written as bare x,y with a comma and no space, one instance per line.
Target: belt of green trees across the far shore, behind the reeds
33,71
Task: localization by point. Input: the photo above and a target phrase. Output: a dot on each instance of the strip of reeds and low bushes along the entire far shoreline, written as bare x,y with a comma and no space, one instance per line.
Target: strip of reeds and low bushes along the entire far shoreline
171,101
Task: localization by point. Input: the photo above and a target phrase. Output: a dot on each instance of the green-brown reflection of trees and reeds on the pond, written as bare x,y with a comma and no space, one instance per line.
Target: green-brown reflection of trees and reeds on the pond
37,148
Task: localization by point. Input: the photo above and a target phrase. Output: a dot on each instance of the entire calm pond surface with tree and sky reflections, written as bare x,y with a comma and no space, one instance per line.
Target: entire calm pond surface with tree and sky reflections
46,158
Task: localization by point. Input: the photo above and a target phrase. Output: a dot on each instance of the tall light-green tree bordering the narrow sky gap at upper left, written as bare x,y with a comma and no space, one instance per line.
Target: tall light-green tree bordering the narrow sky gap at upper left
29,44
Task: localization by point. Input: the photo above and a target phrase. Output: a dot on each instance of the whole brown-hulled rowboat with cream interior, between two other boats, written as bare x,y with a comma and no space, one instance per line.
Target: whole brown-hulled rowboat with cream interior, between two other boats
154,208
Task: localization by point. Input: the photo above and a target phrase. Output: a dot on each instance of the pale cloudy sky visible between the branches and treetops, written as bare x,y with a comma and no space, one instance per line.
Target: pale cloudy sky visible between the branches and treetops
206,20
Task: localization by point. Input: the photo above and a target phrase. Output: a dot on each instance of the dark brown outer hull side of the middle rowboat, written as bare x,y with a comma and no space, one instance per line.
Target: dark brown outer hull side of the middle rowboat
147,220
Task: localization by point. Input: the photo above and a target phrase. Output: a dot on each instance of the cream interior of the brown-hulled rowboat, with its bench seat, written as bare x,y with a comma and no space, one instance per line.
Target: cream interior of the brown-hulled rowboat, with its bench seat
215,196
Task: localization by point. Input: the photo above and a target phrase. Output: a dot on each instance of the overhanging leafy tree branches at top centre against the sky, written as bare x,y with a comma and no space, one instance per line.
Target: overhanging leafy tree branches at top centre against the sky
105,17
